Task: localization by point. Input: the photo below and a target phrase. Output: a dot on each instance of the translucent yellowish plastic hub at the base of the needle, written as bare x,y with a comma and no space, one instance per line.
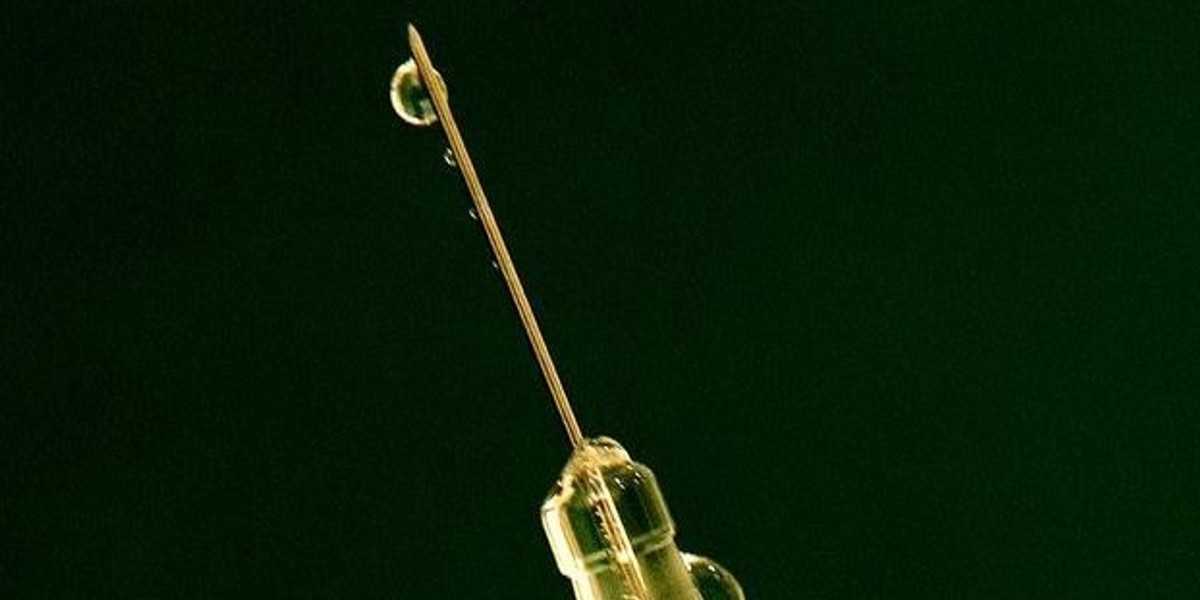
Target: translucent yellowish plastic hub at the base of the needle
614,538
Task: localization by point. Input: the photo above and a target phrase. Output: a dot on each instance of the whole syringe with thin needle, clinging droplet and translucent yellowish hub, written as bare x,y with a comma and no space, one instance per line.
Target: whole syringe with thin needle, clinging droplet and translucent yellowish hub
607,521
